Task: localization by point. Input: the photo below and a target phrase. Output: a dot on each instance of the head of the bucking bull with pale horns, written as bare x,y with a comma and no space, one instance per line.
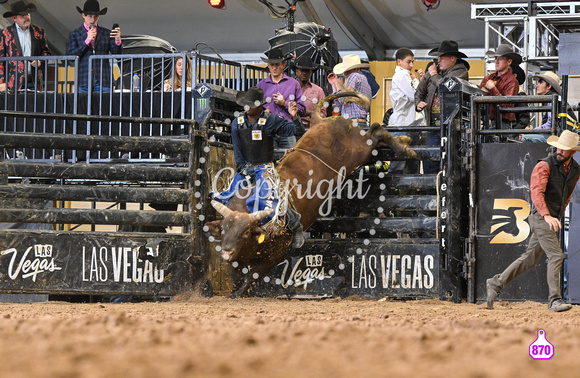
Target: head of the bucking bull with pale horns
238,231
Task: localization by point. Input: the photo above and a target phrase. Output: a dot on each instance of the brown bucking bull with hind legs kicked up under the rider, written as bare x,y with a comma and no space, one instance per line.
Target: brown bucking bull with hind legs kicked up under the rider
331,147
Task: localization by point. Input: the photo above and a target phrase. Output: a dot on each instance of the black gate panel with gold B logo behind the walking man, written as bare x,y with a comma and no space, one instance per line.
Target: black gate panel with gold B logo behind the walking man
503,206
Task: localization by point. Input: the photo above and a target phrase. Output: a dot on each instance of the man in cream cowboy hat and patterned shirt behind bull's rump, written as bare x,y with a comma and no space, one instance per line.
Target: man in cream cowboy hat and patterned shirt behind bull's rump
347,76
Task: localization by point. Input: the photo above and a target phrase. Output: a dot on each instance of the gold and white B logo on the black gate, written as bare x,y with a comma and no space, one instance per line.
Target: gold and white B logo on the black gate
509,221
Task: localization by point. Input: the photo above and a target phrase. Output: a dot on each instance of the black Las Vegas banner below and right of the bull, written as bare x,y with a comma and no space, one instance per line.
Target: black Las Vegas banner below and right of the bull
400,268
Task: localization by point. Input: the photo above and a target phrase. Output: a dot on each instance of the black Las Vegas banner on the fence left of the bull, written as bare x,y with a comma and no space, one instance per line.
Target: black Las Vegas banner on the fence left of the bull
79,262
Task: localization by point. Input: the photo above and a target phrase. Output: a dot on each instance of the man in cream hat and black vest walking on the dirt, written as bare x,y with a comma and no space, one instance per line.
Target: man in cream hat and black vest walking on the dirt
552,183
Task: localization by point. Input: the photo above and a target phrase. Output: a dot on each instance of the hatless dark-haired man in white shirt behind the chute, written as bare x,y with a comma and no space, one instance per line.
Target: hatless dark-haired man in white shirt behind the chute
403,99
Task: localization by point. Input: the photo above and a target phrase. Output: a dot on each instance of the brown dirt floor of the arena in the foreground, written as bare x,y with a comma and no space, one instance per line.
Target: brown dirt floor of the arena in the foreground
221,337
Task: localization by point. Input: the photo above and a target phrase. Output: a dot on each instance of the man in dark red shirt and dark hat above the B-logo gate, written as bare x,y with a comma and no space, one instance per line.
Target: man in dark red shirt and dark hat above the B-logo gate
502,82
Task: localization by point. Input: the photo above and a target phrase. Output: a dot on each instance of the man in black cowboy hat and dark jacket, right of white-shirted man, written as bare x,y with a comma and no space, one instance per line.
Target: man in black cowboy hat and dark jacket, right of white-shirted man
450,64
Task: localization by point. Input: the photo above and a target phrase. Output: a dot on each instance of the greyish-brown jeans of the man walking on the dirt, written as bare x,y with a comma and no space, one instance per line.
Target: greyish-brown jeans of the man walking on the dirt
543,240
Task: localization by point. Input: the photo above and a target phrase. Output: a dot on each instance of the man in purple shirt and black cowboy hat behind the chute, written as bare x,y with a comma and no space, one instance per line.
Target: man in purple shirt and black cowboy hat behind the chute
279,90
